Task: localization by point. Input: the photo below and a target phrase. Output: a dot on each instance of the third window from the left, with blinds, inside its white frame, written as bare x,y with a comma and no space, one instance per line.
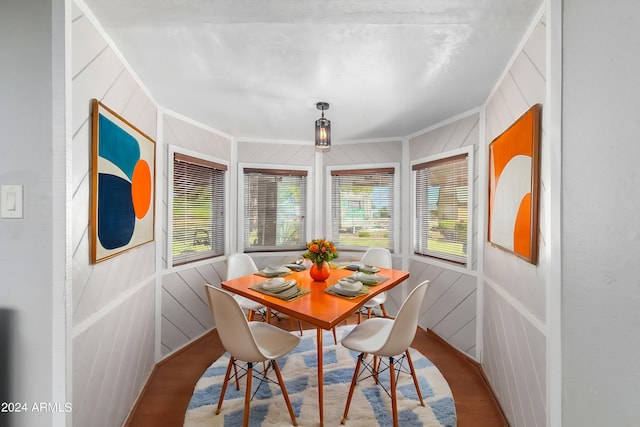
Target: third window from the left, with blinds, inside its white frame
362,208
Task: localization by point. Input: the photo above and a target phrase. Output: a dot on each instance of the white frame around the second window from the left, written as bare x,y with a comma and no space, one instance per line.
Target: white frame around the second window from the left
241,207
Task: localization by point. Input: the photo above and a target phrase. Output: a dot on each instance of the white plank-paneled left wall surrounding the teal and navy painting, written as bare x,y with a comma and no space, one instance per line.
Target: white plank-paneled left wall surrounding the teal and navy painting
113,301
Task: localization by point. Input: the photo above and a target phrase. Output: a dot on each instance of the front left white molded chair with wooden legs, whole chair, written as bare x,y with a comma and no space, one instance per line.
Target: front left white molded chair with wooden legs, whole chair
249,342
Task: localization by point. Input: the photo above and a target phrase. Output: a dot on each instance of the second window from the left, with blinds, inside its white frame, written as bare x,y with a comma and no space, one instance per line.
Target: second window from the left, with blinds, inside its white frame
275,205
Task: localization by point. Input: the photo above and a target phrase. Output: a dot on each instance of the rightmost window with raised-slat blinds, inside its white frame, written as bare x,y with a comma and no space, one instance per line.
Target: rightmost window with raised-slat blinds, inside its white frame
442,208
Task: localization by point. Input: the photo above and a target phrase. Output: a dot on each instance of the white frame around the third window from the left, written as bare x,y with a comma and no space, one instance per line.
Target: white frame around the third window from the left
396,201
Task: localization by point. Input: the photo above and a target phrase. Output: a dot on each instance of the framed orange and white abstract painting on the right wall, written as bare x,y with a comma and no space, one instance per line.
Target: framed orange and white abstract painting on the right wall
514,187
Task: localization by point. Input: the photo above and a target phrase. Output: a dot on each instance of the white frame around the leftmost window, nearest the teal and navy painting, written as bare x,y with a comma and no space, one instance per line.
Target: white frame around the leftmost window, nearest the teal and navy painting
172,149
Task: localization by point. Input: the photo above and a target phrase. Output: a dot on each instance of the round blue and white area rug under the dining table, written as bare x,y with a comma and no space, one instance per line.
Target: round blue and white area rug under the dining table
370,406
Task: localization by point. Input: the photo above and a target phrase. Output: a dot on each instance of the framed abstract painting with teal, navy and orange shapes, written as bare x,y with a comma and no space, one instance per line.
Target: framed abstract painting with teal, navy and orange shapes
122,185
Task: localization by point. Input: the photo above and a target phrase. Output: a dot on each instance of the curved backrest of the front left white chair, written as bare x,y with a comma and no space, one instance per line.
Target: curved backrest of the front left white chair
232,325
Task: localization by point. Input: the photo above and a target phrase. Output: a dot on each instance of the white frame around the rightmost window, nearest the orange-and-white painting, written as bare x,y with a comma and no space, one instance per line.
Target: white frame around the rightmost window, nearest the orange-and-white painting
468,151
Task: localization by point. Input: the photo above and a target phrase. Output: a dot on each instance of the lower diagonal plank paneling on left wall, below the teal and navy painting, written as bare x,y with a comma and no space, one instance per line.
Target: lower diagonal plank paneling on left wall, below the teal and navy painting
113,360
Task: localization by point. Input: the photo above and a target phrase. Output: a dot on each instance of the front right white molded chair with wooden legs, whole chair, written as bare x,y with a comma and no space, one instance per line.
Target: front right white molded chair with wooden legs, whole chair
387,338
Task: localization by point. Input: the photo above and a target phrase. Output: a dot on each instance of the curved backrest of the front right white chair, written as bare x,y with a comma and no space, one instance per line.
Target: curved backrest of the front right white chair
404,326
